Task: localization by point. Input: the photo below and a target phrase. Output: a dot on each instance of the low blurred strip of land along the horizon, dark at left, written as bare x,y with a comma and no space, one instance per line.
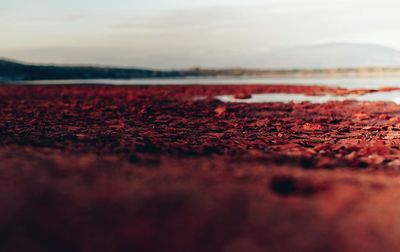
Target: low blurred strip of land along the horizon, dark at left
15,71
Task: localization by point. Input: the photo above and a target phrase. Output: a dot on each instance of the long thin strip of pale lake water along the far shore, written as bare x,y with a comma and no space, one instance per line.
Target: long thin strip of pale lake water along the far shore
345,82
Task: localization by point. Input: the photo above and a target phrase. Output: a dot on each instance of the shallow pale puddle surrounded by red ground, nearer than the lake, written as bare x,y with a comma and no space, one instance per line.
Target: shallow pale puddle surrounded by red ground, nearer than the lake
392,96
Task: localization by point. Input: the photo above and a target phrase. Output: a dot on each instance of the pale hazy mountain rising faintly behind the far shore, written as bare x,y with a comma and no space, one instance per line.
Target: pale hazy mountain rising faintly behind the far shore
333,55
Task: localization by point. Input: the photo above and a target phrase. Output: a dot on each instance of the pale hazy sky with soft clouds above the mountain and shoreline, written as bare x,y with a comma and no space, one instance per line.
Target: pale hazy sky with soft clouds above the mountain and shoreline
185,33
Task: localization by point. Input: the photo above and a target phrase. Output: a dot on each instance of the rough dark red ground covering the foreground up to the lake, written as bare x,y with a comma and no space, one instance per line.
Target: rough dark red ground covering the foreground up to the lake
101,168
